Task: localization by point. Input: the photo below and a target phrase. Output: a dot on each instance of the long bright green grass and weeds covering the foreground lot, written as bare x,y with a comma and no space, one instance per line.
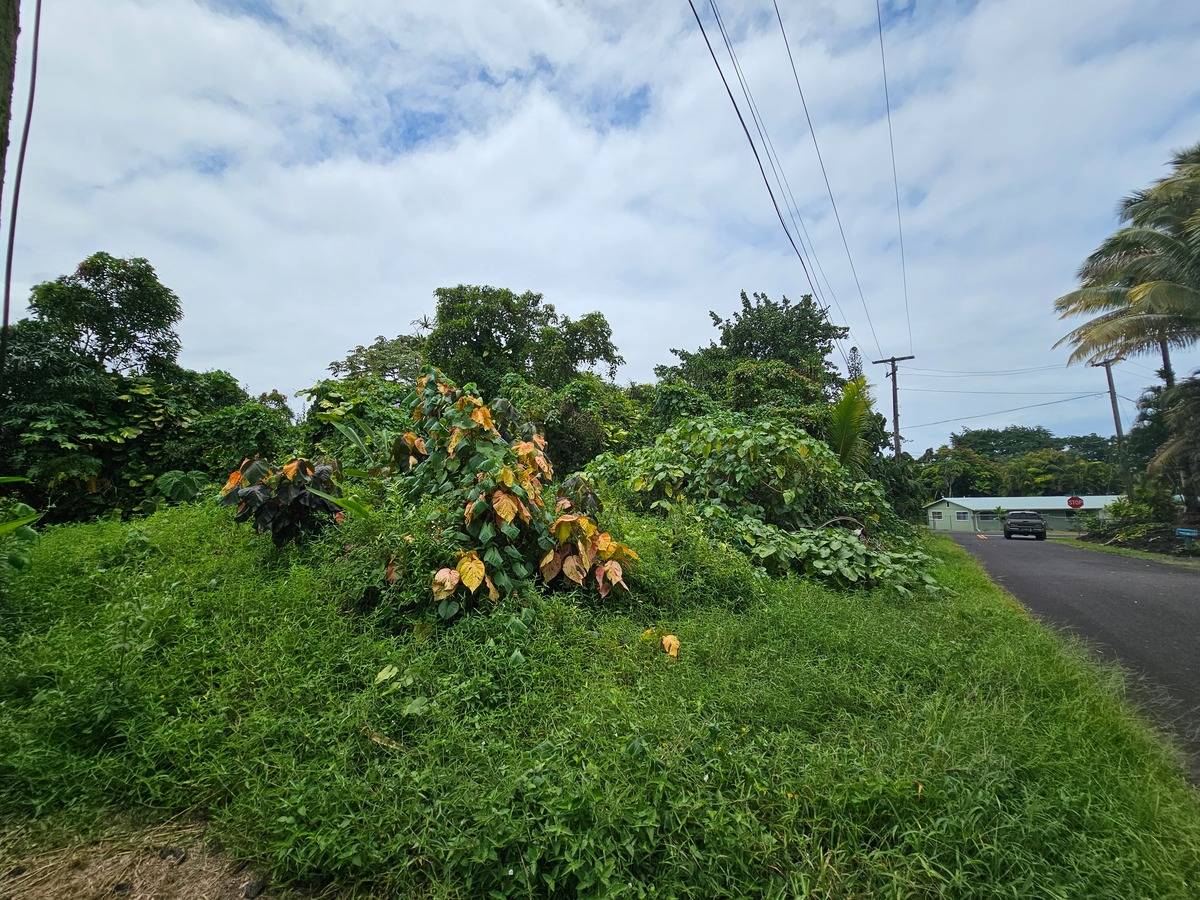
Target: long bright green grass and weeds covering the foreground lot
806,742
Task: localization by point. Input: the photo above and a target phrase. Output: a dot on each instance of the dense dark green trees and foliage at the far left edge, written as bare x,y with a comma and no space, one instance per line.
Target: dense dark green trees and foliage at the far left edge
94,409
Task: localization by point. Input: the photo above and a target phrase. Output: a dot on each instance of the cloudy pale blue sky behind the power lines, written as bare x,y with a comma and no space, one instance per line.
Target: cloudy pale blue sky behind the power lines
304,173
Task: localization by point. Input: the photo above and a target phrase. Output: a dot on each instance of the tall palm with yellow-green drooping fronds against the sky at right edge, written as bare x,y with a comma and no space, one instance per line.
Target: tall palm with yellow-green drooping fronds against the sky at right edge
1143,285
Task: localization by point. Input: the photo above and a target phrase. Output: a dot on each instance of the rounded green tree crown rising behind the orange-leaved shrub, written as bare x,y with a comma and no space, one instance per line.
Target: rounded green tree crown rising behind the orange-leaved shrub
482,334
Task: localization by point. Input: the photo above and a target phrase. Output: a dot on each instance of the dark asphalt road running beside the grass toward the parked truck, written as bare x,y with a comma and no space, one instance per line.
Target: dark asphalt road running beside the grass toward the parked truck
1143,615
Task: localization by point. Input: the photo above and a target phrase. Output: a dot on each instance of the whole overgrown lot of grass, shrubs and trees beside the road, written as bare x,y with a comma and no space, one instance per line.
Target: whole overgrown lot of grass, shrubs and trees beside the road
502,627
